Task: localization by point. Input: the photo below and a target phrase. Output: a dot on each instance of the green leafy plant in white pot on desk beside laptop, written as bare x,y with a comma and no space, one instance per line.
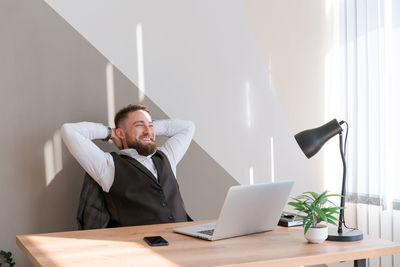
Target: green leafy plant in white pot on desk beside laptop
316,208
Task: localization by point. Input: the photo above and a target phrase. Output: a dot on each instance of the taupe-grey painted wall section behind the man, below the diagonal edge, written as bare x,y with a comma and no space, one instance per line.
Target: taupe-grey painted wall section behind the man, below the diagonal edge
51,75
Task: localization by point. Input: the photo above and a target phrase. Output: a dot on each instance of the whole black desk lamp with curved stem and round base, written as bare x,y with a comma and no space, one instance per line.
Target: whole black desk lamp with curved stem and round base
311,141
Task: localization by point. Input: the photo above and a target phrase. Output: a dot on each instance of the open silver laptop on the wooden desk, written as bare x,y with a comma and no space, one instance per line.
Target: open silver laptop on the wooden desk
247,209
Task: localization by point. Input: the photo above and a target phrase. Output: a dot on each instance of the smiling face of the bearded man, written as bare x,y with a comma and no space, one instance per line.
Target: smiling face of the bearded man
139,132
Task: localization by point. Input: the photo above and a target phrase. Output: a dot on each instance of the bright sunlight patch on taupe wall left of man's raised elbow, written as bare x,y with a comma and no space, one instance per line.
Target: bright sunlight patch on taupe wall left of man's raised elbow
53,157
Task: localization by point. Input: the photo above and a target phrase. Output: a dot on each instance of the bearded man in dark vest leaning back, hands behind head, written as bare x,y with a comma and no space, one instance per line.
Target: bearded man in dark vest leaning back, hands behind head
138,182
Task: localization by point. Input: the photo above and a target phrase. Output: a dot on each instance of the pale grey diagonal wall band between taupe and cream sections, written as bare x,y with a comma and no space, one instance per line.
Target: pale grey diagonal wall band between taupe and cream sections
200,62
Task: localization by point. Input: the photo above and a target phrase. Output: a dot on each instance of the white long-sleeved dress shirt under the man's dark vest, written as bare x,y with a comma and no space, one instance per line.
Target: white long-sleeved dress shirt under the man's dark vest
100,165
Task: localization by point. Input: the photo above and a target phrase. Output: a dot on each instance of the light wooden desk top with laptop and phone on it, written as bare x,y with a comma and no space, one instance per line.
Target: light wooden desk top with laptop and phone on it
126,247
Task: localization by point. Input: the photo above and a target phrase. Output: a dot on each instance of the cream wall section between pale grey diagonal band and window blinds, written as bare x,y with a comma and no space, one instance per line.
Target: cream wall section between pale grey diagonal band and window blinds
294,39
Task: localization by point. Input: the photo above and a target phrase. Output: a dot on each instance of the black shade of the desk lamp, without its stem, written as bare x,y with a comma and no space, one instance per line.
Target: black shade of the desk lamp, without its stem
311,141
